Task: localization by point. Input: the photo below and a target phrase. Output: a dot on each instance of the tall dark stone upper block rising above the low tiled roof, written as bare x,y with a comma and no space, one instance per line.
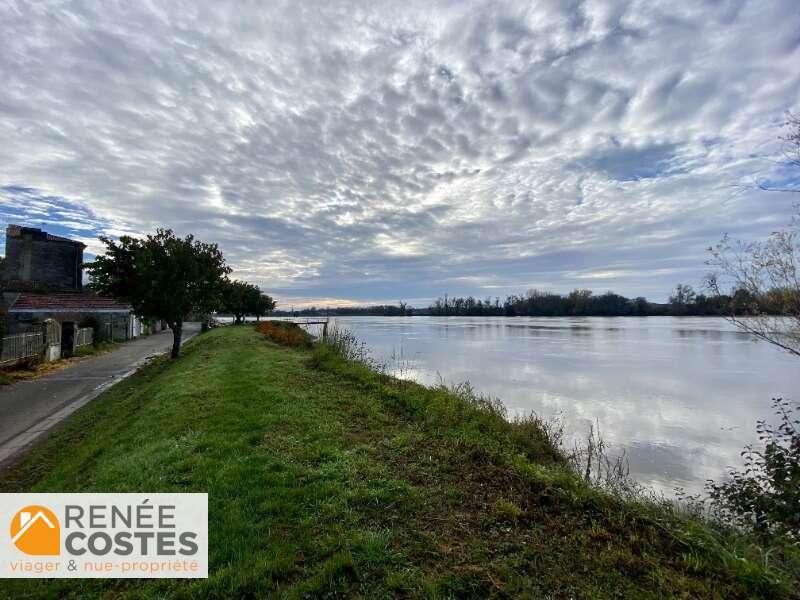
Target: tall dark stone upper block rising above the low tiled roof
33,257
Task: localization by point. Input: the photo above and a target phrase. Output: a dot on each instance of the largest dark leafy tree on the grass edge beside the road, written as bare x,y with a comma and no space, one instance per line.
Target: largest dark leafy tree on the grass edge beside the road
162,276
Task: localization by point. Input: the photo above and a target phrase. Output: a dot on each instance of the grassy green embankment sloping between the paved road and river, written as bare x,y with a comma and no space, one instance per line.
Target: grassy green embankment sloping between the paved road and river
326,478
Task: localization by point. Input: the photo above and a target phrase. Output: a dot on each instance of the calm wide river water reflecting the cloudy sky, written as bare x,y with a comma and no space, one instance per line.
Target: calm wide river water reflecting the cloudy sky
679,396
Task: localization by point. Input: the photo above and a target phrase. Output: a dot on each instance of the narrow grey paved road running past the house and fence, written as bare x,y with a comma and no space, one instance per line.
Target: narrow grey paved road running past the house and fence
30,408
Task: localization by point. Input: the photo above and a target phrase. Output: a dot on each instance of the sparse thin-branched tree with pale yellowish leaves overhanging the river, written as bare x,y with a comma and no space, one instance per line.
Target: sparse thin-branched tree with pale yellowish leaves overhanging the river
764,281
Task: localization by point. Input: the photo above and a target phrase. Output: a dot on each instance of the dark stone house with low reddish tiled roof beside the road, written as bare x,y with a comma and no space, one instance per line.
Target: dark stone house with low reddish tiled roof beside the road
42,281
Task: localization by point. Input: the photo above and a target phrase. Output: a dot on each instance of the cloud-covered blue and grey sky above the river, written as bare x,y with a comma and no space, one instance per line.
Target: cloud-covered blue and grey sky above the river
371,152
